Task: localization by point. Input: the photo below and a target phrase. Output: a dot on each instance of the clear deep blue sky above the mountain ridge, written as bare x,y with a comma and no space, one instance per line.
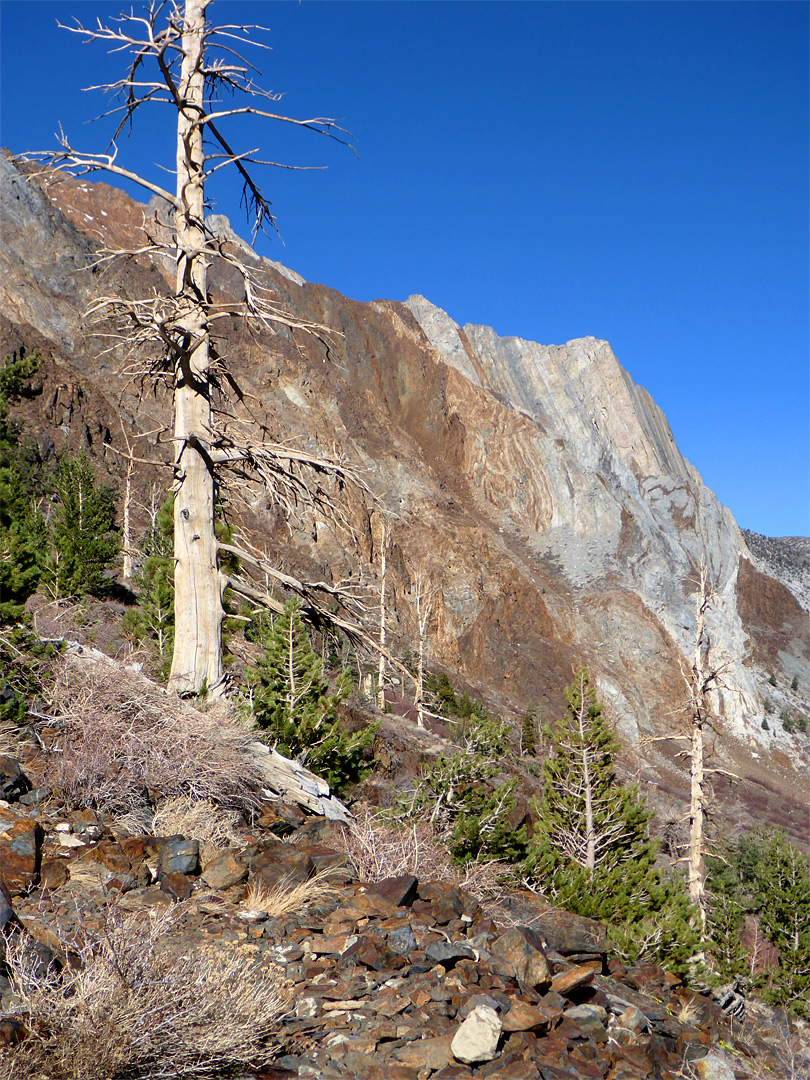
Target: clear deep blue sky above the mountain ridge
638,172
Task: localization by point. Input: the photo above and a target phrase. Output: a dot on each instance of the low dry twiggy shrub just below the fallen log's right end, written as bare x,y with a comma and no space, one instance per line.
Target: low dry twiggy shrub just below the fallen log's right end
379,848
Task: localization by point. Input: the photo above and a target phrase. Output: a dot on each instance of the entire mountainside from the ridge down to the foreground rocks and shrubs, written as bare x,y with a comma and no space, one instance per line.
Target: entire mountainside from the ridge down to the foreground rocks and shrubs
172,903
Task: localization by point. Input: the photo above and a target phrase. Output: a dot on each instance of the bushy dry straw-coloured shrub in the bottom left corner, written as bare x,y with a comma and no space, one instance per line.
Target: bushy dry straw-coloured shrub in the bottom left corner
146,1002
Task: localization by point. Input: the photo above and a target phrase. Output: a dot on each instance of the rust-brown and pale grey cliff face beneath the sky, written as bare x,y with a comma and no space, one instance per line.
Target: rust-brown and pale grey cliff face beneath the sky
537,487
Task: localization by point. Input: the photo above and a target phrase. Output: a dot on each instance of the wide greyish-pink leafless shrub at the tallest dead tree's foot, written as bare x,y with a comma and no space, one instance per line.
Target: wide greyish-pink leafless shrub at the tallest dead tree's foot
119,735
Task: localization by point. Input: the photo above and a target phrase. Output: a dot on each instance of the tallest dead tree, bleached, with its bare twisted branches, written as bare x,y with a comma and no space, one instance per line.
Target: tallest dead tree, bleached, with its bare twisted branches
181,61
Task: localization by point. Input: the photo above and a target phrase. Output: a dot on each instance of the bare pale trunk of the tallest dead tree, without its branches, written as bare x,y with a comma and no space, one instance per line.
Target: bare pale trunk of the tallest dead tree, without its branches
198,656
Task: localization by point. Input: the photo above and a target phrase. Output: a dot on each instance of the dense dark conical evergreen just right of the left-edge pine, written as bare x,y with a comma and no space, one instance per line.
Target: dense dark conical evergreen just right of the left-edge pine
86,541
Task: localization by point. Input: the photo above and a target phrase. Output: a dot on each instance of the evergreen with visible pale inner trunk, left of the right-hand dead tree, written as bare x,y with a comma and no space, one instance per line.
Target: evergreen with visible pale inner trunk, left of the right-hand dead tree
591,853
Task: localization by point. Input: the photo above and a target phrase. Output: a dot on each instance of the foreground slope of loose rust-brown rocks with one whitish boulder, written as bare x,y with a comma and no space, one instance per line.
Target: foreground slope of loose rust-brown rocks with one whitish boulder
406,977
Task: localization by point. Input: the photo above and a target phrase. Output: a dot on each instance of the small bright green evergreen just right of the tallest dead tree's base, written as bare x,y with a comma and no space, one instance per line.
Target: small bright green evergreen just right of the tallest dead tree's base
296,706
